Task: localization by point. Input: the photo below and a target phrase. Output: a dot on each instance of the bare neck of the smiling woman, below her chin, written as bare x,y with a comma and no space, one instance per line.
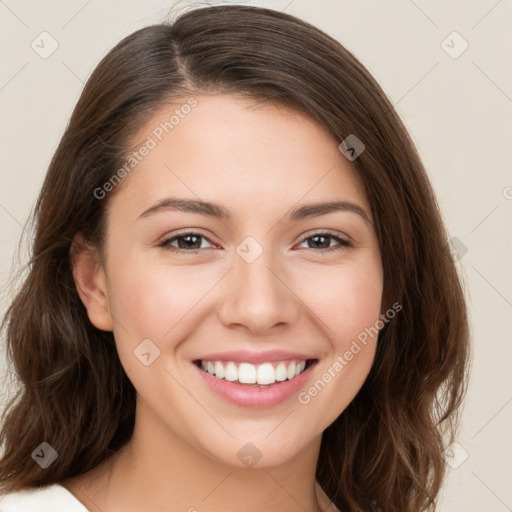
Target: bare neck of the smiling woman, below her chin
158,471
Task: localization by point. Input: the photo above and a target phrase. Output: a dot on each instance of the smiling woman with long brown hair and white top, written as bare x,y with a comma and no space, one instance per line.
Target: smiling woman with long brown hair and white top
240,295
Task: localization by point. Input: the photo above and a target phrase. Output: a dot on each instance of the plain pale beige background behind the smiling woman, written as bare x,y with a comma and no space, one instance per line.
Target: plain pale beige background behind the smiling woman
459,111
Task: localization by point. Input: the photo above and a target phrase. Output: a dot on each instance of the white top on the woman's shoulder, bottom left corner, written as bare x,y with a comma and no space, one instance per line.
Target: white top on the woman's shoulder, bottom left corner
52,498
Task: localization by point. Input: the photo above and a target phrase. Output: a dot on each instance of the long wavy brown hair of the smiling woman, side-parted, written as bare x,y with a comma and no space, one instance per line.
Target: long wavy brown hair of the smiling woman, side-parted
386,449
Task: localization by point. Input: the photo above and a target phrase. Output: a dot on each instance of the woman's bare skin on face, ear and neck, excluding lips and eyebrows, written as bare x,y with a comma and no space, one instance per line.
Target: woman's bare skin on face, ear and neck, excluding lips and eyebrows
258,161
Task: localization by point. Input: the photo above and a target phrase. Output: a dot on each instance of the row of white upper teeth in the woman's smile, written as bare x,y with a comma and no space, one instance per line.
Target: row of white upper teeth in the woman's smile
246,373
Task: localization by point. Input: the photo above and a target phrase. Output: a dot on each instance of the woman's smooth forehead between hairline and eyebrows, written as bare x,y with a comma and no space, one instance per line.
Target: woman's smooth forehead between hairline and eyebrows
238,152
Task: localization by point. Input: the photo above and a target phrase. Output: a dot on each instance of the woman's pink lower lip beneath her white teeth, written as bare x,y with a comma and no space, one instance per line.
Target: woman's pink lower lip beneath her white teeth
255,397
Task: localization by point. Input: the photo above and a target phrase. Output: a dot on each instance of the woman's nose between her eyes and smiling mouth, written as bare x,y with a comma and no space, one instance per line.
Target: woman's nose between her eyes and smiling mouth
258,296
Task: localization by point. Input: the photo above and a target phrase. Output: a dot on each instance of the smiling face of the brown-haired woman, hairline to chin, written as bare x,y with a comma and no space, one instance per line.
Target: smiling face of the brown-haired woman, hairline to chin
270,288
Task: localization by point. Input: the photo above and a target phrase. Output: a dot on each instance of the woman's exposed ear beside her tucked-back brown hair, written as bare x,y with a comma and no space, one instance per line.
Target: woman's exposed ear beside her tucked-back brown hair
90,282
